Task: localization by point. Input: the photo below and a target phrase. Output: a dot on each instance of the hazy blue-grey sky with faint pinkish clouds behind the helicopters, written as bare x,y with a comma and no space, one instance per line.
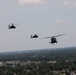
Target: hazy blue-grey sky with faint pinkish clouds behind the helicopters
43,17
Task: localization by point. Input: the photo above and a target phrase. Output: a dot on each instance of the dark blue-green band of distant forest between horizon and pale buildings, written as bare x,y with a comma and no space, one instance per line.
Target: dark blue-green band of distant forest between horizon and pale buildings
59,54
